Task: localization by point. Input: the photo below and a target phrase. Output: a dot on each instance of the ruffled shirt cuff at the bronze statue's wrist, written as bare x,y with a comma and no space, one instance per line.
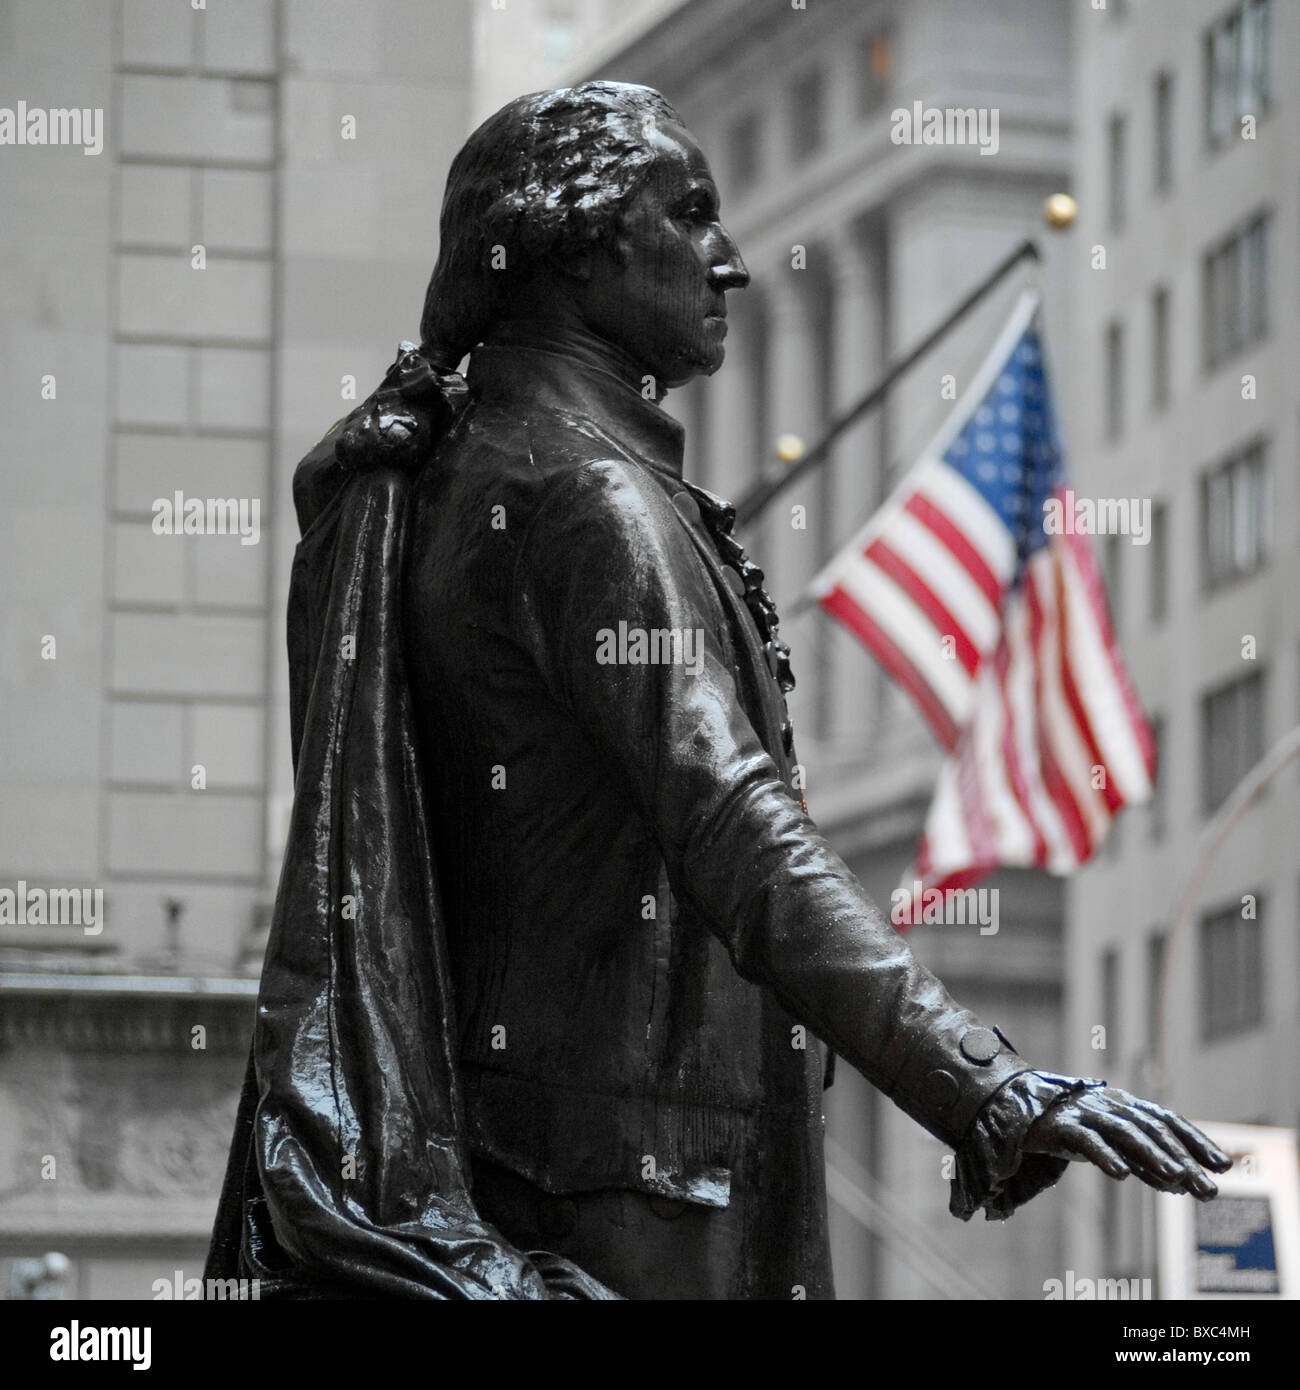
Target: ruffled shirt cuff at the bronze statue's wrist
992,1171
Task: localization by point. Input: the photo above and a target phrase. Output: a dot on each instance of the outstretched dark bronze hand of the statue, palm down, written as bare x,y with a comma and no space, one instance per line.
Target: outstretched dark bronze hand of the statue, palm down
1123,1135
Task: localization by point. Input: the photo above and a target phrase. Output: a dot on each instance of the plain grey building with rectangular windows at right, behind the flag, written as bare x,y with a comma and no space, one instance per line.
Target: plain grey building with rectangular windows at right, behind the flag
1185,350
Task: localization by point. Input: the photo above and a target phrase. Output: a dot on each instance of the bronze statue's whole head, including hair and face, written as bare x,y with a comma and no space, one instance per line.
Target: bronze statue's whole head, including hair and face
593,204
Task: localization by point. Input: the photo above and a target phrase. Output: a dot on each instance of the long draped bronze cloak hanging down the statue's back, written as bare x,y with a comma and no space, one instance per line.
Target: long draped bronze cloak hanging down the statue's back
350,1159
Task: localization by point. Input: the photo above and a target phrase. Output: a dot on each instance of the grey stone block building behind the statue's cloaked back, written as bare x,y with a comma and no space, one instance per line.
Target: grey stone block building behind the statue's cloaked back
186,312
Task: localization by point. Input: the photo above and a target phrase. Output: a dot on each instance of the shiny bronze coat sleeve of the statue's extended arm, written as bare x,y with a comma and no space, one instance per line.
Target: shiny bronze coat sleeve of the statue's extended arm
607,548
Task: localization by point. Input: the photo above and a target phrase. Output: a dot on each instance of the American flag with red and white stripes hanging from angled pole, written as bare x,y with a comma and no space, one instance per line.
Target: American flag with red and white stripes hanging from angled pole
1000,633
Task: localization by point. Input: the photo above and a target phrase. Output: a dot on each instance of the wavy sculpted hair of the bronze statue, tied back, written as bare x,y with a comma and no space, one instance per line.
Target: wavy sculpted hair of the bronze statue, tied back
546,176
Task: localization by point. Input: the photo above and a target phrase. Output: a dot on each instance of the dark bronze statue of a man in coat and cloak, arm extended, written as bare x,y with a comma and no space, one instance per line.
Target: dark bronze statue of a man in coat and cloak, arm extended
558,953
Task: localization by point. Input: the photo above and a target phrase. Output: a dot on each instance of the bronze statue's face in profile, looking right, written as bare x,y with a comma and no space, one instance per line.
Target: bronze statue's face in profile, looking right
664,301
